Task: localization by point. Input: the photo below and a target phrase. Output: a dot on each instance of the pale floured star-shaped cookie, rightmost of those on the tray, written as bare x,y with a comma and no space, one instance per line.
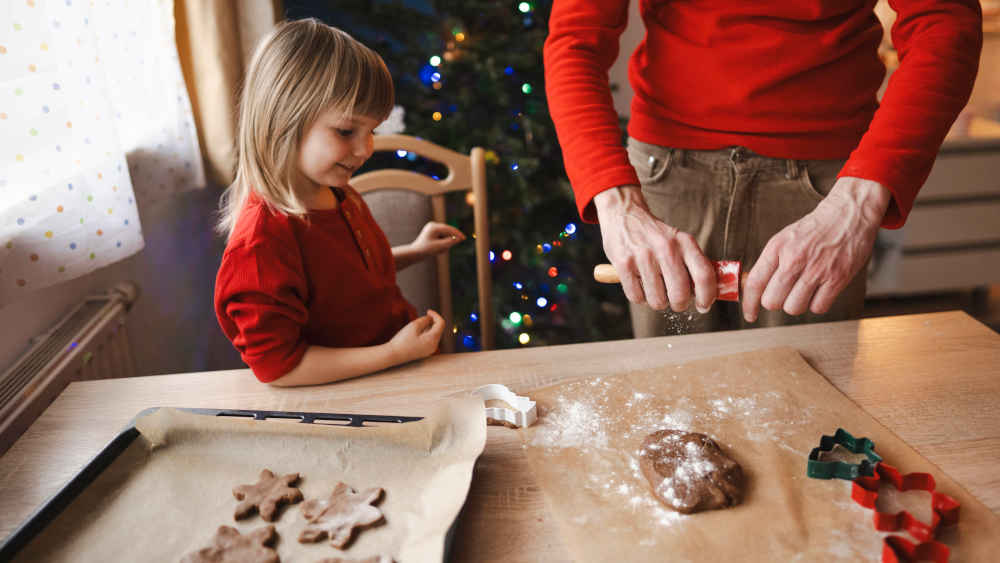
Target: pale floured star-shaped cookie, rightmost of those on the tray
338,515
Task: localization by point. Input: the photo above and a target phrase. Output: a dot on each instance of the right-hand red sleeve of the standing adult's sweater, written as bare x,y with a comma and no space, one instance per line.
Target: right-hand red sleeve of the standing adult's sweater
938,44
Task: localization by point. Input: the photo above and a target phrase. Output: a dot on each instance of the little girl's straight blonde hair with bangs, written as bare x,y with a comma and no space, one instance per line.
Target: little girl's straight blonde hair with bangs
299,70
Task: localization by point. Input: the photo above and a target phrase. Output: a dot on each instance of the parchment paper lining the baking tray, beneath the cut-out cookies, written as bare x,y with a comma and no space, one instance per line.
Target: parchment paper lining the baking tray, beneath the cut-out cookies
170,491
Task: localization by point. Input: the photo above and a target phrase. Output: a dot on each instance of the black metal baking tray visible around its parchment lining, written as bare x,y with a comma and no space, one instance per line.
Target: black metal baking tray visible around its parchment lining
75,486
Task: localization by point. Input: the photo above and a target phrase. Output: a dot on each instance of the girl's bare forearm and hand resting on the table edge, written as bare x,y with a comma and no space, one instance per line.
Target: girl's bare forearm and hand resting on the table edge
322,364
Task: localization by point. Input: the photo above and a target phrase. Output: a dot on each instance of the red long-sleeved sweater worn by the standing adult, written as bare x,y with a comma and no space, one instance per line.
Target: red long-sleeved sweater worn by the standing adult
786,79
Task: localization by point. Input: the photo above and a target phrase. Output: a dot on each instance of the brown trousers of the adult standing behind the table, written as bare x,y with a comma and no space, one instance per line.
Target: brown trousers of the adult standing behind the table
732,200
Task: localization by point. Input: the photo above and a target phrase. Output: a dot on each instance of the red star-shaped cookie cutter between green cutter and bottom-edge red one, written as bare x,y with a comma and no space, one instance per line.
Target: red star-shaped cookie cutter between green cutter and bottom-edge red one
944,508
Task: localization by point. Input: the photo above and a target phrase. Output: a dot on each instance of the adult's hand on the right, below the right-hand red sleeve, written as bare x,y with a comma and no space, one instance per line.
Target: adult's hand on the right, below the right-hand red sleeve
808,263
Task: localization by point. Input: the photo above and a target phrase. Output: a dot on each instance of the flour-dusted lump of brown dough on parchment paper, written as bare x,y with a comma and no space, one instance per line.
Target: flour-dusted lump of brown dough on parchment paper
688,471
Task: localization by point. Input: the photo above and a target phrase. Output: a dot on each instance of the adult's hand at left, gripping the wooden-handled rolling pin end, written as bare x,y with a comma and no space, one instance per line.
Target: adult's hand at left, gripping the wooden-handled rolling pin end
656,262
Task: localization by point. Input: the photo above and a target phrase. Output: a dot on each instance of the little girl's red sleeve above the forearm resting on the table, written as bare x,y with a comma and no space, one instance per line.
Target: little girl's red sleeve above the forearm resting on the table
260,301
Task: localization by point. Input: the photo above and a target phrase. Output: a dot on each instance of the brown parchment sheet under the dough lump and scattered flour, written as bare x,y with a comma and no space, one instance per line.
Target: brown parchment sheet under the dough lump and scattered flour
767,409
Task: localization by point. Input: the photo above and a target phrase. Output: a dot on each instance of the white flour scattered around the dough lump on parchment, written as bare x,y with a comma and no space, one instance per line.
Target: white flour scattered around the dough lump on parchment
581,417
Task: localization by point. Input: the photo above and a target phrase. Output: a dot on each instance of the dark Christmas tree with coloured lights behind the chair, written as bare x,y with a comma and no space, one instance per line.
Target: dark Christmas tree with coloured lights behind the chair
469,73
